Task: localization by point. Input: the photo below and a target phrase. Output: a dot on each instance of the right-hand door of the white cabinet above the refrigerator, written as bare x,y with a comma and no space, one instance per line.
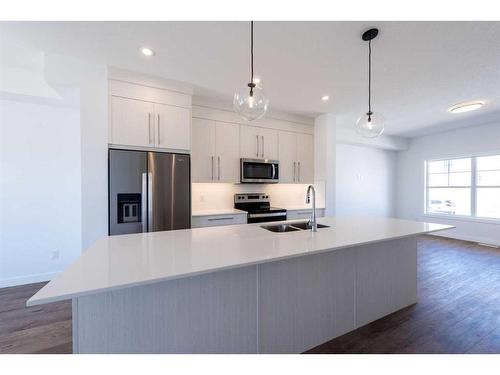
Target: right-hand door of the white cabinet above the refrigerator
173,127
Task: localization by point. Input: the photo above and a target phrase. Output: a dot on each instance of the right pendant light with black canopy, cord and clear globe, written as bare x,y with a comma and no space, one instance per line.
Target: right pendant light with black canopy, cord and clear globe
370,124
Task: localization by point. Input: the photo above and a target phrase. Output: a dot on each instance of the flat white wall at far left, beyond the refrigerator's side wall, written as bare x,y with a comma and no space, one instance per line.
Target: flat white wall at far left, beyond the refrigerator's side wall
40,190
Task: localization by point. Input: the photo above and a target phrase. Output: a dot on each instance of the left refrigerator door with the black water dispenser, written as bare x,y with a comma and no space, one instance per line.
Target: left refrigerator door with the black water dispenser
127,191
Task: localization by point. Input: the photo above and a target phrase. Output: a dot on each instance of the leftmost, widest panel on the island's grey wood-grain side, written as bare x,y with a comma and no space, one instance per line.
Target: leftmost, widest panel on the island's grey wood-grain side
213,313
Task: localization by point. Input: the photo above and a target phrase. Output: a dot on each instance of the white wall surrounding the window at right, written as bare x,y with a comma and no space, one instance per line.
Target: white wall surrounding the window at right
410,167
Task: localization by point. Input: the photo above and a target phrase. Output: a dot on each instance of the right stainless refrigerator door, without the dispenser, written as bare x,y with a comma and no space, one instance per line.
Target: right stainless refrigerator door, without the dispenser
169,188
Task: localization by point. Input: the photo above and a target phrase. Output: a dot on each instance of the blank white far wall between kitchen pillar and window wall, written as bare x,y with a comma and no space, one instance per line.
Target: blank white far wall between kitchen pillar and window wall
366,181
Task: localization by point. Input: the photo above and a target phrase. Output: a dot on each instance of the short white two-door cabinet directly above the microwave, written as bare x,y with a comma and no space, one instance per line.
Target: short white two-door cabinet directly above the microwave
258,143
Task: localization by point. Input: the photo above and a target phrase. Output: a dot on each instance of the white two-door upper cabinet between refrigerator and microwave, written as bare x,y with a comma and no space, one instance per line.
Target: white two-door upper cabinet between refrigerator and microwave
215,153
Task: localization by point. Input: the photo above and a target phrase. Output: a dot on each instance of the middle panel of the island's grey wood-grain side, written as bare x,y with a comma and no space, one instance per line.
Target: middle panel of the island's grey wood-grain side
306,301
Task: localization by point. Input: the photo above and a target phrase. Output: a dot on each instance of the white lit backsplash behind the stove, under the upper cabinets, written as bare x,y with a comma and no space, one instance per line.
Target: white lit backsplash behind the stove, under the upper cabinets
208,196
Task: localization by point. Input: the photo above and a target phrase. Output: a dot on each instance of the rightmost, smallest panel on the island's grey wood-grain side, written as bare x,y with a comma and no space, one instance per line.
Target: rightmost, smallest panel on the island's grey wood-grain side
386,278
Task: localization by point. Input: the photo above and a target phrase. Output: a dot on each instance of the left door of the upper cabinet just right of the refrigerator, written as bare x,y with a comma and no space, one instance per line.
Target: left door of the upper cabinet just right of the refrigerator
203,152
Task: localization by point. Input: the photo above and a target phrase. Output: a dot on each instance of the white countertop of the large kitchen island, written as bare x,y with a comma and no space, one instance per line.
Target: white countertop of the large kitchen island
117,262
